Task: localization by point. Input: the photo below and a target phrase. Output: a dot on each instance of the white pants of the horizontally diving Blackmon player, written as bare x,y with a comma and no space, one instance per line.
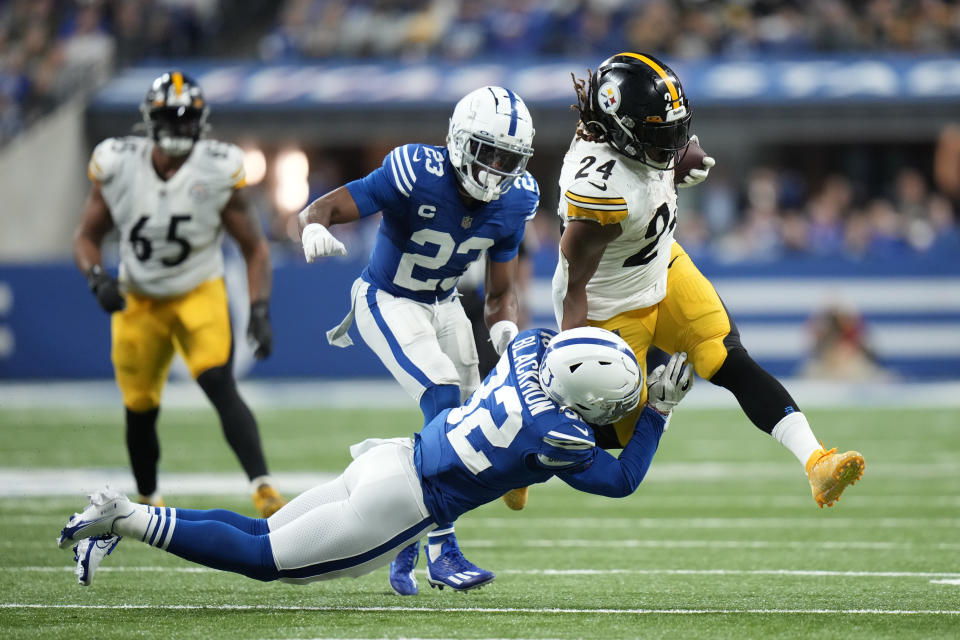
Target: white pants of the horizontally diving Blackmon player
355,523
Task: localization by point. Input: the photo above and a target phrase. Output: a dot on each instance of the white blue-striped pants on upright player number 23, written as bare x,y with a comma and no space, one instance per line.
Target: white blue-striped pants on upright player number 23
422,345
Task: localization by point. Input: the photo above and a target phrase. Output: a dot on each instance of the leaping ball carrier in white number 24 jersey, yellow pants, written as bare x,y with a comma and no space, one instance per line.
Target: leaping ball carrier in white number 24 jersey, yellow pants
621,269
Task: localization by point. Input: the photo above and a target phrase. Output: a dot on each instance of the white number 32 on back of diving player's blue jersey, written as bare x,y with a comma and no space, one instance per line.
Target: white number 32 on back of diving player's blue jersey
472,416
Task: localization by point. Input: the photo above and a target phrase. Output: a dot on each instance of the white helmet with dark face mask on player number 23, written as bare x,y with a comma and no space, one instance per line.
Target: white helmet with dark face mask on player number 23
490,141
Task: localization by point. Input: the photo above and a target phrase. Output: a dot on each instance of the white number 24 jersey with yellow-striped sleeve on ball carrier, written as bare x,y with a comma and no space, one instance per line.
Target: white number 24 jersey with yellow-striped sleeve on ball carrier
601,185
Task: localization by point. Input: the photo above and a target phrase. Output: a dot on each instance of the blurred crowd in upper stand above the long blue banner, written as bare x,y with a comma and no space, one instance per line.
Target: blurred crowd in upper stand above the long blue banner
674,28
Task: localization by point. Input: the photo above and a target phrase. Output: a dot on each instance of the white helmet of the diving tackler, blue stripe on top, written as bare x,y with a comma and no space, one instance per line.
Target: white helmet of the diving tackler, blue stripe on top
592,371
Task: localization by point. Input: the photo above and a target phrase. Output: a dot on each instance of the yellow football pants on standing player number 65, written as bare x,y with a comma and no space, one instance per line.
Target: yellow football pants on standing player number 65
146,332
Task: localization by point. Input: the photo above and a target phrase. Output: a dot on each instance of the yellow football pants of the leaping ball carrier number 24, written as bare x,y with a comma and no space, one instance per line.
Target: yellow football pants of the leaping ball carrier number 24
690,318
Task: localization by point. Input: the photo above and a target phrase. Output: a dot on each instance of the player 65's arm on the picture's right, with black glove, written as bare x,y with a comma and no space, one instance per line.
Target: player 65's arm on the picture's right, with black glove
242,224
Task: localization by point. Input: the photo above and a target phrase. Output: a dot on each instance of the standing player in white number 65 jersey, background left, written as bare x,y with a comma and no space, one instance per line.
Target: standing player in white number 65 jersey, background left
170,196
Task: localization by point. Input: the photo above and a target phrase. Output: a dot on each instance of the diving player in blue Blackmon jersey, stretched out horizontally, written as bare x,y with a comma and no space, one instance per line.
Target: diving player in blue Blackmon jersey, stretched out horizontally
530,420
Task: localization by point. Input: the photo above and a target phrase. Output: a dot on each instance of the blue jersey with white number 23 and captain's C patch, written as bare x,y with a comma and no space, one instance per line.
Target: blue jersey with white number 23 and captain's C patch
428,236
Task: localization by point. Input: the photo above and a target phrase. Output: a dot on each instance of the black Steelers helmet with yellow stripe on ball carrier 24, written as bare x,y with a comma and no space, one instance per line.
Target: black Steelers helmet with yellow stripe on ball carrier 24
636,105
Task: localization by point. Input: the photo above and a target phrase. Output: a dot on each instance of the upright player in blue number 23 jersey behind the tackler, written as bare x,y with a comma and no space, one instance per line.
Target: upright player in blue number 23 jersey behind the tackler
443,208
